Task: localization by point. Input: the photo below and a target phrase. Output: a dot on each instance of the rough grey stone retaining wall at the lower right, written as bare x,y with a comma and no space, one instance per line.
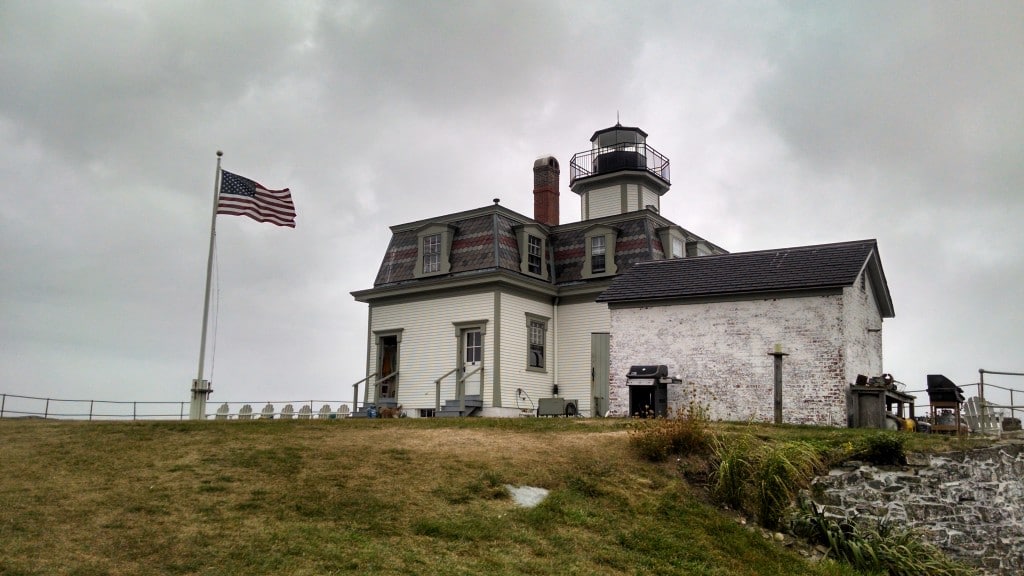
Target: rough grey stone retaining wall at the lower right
970,505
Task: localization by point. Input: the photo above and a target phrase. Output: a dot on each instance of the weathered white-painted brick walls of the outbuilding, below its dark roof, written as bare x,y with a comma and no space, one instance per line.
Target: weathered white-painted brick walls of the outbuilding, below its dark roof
720,352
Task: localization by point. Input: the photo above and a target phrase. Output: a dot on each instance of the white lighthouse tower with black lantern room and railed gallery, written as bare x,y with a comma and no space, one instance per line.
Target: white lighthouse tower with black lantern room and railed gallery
620,174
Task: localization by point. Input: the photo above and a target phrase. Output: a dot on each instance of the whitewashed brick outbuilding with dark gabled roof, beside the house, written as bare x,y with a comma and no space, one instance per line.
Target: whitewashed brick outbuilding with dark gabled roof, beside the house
719,321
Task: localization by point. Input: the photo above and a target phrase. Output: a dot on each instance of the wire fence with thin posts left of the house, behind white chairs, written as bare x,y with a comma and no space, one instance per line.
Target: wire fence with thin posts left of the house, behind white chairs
16,406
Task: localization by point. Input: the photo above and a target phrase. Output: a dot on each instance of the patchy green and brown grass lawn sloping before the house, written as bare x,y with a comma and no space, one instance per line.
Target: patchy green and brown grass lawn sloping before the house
402,497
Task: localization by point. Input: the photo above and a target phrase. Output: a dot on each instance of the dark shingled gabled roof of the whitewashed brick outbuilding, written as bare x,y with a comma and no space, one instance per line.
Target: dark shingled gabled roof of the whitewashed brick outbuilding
785,270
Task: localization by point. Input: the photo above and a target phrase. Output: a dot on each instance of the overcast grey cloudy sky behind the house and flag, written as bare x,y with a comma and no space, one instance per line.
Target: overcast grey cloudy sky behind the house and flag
786,124
